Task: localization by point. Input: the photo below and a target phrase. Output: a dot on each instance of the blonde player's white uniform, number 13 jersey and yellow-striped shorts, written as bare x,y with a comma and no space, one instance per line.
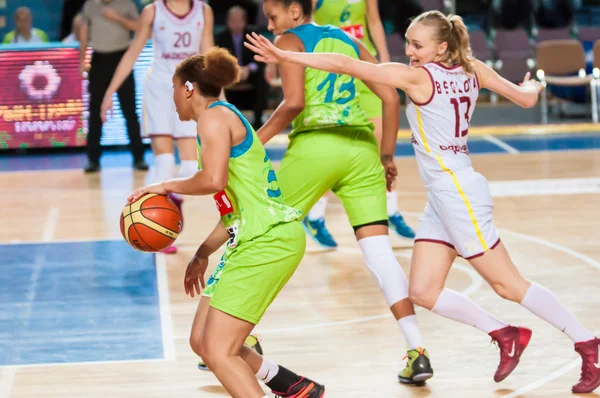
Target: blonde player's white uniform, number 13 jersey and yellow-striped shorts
459,206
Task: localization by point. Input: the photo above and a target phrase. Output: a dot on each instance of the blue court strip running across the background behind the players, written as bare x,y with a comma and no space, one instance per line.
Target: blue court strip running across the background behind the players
477,145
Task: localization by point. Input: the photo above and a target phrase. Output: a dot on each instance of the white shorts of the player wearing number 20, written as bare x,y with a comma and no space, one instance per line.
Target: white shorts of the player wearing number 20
159,116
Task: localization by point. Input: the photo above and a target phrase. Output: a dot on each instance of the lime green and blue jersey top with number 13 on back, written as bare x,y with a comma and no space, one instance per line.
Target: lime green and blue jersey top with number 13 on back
330,100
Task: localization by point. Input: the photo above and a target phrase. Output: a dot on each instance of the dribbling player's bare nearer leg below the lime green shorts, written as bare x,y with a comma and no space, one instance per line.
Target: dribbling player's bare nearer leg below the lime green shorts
220,348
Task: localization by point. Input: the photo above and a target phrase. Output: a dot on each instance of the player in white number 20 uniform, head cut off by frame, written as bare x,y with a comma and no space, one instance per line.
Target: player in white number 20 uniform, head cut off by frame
179,29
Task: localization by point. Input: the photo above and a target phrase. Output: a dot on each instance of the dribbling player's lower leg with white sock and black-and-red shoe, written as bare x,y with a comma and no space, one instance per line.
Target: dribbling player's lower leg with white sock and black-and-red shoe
280,380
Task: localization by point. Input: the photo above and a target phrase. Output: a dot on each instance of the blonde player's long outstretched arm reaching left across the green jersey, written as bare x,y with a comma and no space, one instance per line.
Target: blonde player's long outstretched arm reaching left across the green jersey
391,74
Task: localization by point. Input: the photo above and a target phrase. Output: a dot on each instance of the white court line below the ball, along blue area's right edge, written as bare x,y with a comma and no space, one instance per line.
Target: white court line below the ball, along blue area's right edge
166,322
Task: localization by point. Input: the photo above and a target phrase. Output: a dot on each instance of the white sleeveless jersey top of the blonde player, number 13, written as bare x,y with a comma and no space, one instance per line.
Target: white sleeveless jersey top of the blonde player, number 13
440,126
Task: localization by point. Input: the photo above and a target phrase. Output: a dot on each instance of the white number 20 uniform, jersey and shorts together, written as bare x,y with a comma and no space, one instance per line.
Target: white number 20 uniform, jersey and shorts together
174,39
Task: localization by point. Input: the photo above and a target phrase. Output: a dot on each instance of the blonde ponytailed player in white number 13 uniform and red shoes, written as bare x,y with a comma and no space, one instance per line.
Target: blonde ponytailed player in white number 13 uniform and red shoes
442,83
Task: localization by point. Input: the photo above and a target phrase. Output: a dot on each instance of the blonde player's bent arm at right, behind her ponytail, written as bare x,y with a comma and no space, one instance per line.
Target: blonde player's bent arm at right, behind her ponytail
524,94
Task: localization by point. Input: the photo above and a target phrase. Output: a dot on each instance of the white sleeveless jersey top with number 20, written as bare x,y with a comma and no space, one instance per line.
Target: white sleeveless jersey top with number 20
174,39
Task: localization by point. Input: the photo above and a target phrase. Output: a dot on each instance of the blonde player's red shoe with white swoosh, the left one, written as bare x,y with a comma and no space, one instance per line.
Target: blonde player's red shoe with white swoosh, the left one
512,341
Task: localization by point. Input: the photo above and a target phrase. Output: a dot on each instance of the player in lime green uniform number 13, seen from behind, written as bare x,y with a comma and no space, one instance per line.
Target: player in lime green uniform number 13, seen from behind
332,148
